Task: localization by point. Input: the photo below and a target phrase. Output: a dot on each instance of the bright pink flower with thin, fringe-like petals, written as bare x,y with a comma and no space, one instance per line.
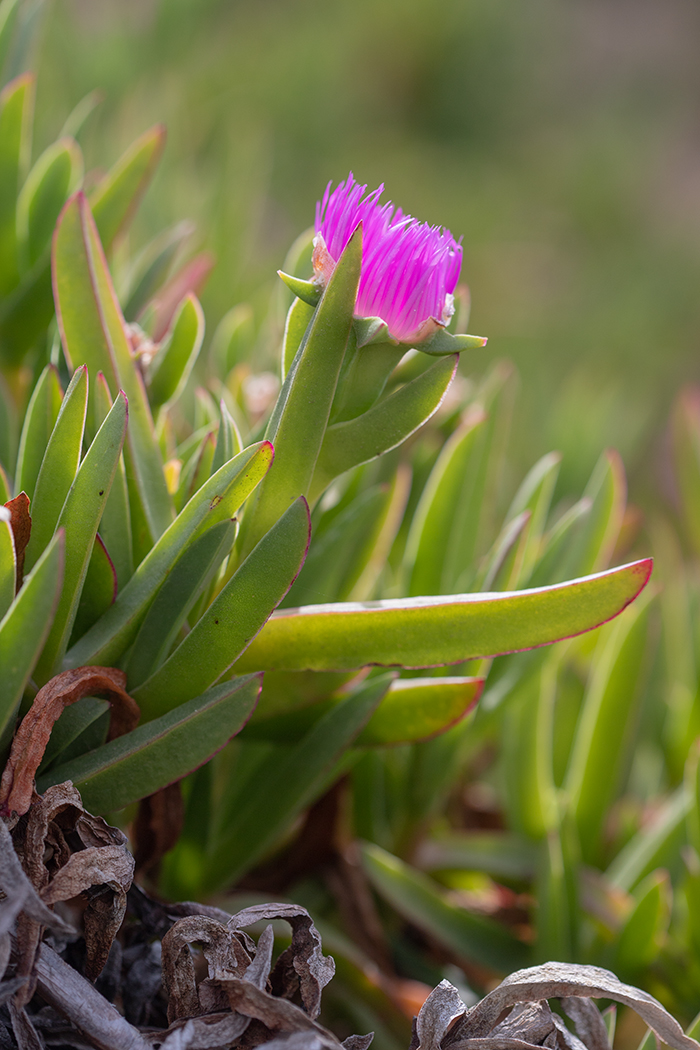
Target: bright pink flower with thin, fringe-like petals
410,269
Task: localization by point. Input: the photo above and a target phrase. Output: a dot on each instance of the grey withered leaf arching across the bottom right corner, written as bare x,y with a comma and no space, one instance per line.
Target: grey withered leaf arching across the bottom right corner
564,981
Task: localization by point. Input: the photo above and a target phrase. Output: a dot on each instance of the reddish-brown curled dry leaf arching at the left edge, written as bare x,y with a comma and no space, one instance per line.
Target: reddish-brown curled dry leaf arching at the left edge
32,738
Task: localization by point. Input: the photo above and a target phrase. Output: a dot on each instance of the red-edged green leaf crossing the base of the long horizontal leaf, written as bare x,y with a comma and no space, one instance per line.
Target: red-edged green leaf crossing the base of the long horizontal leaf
235,617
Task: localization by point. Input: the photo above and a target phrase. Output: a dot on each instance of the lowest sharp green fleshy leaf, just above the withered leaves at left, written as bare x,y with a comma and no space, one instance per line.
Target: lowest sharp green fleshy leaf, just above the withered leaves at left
153,757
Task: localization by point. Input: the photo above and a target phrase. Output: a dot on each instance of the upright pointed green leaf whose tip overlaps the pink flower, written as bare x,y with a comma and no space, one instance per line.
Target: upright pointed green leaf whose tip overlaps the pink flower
301,417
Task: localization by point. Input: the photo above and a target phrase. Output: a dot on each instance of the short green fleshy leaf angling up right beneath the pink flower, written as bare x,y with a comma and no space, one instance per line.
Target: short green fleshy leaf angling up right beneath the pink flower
385,427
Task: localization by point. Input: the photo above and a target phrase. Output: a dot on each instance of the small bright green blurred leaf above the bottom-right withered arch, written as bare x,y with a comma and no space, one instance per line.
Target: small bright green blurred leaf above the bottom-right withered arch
639,941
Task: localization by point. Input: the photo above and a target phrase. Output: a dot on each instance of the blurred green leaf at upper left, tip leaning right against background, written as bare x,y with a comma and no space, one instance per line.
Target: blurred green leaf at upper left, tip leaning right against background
117,197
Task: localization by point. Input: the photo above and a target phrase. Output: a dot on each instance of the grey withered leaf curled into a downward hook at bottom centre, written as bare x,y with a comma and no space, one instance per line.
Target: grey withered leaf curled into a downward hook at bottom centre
303,969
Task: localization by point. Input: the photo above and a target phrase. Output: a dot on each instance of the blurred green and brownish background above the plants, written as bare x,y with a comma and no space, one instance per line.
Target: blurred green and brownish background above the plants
562,140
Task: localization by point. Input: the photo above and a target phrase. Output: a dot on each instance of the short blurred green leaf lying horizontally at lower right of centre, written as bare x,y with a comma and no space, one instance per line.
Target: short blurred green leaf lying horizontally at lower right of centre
499,854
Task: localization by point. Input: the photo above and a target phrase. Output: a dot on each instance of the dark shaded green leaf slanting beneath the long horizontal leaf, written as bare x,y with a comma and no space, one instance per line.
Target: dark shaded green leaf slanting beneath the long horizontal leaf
291,780
